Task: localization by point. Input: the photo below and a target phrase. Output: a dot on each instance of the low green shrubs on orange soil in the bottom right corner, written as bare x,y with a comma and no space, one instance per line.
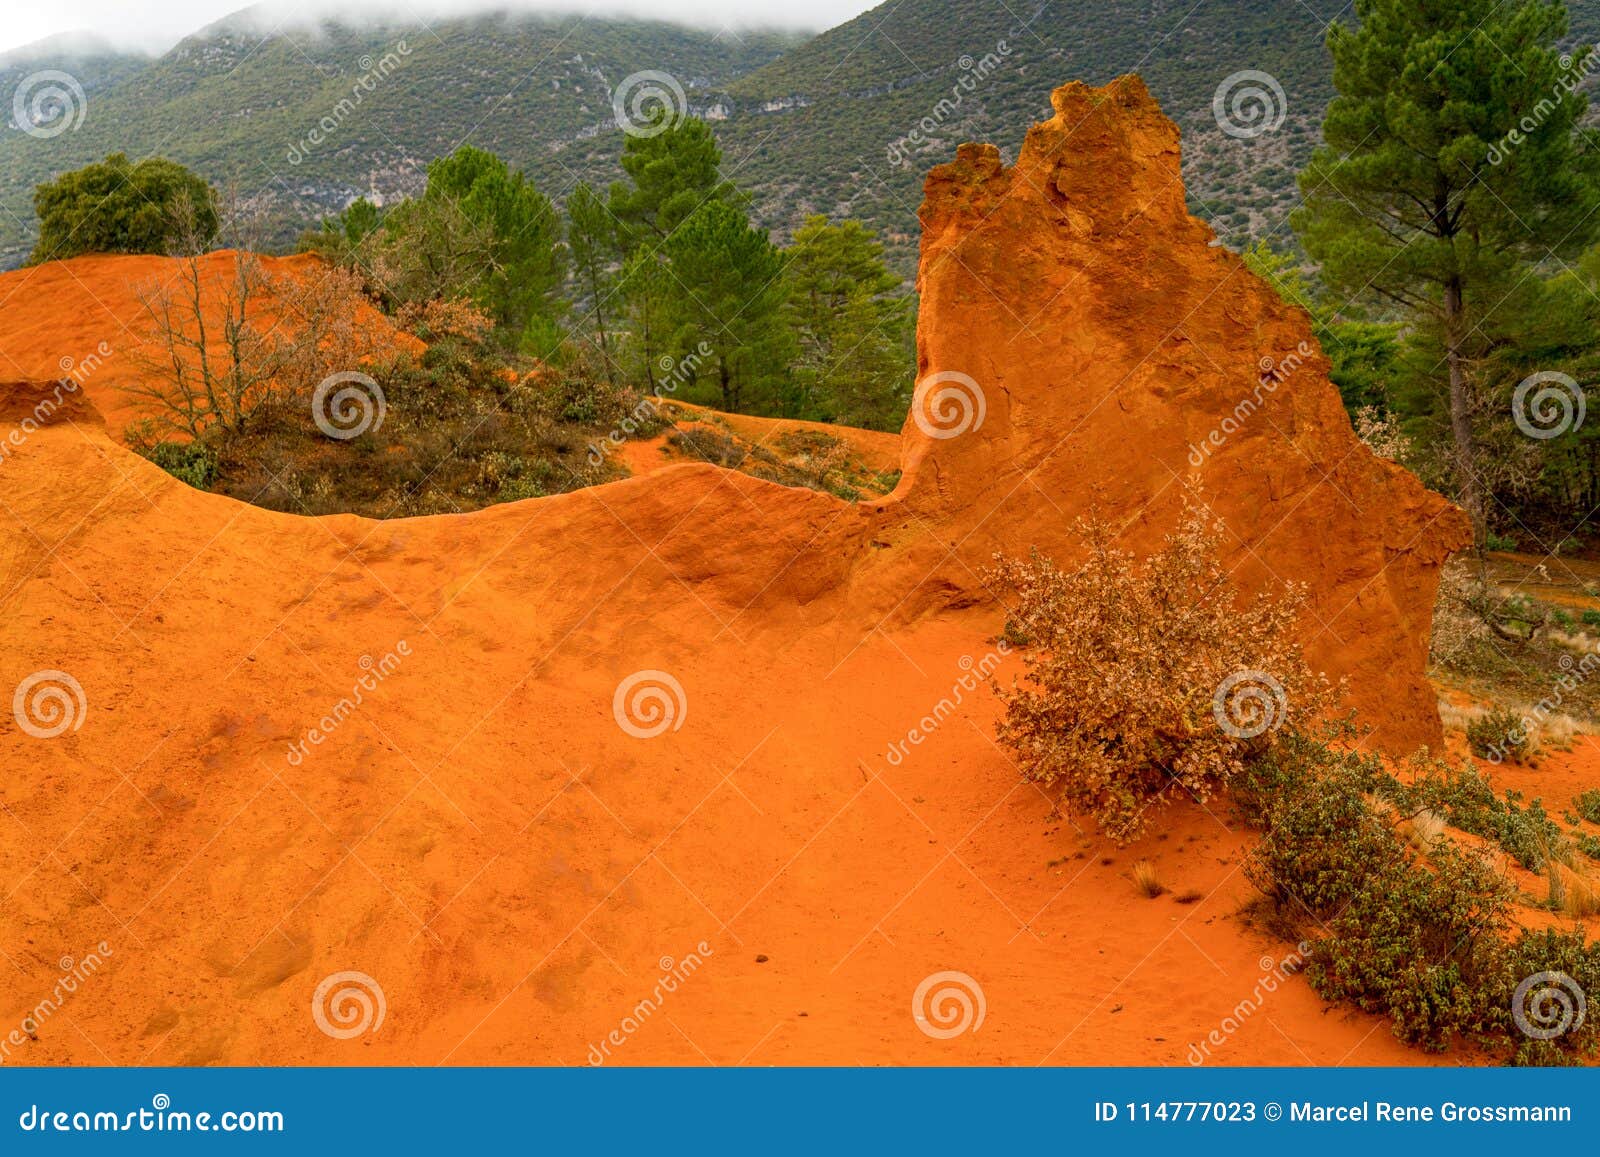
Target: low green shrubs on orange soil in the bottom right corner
1425,939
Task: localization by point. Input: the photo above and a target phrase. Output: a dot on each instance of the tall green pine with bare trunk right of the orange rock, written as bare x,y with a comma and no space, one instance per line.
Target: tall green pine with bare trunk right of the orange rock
1452,162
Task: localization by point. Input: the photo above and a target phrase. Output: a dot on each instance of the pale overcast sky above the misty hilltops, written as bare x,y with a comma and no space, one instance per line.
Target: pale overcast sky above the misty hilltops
159,25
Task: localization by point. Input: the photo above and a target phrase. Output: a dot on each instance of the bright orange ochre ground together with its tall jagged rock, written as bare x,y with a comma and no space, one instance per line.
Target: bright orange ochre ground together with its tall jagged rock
516,873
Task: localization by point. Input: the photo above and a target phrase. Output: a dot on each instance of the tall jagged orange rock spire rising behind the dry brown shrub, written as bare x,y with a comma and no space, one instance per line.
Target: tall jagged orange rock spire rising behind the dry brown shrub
1086,345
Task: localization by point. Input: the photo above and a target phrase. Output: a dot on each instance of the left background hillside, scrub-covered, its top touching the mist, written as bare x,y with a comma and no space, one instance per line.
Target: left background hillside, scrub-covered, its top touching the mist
242,108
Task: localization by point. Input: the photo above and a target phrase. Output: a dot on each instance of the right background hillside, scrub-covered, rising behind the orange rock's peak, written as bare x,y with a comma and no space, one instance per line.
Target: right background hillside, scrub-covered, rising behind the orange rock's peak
858,90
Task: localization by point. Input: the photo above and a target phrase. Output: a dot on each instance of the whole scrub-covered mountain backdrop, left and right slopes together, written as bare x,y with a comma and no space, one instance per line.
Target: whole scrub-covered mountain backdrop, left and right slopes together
846,122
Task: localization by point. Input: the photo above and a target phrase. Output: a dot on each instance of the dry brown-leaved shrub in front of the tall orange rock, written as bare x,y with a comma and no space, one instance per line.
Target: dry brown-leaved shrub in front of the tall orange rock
1148,676
